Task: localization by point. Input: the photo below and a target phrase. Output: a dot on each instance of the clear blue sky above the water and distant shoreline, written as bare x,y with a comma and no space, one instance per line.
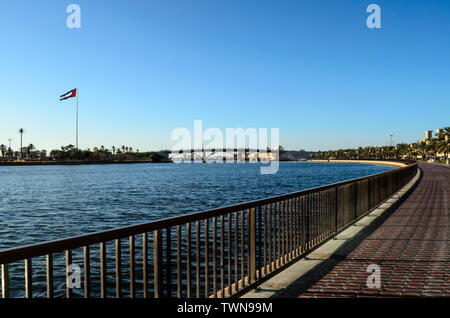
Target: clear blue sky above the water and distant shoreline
311,68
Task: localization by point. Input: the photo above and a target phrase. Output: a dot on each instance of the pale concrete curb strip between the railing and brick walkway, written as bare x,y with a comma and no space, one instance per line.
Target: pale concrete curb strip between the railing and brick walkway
304,268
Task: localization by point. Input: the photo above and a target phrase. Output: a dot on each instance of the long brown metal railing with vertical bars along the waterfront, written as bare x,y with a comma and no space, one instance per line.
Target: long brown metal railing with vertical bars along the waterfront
216,253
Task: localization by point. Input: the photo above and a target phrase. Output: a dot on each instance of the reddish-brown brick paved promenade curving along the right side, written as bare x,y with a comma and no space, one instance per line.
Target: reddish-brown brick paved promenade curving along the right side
411,247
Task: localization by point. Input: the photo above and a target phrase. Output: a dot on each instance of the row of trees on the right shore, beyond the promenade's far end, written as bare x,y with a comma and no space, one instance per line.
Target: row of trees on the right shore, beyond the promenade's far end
431,148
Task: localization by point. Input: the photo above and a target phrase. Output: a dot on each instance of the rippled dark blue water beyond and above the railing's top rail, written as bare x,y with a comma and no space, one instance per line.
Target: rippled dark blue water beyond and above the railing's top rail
51,202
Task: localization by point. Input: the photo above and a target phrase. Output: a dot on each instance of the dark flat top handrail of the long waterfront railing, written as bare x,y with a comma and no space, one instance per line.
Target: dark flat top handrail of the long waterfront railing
40,249
